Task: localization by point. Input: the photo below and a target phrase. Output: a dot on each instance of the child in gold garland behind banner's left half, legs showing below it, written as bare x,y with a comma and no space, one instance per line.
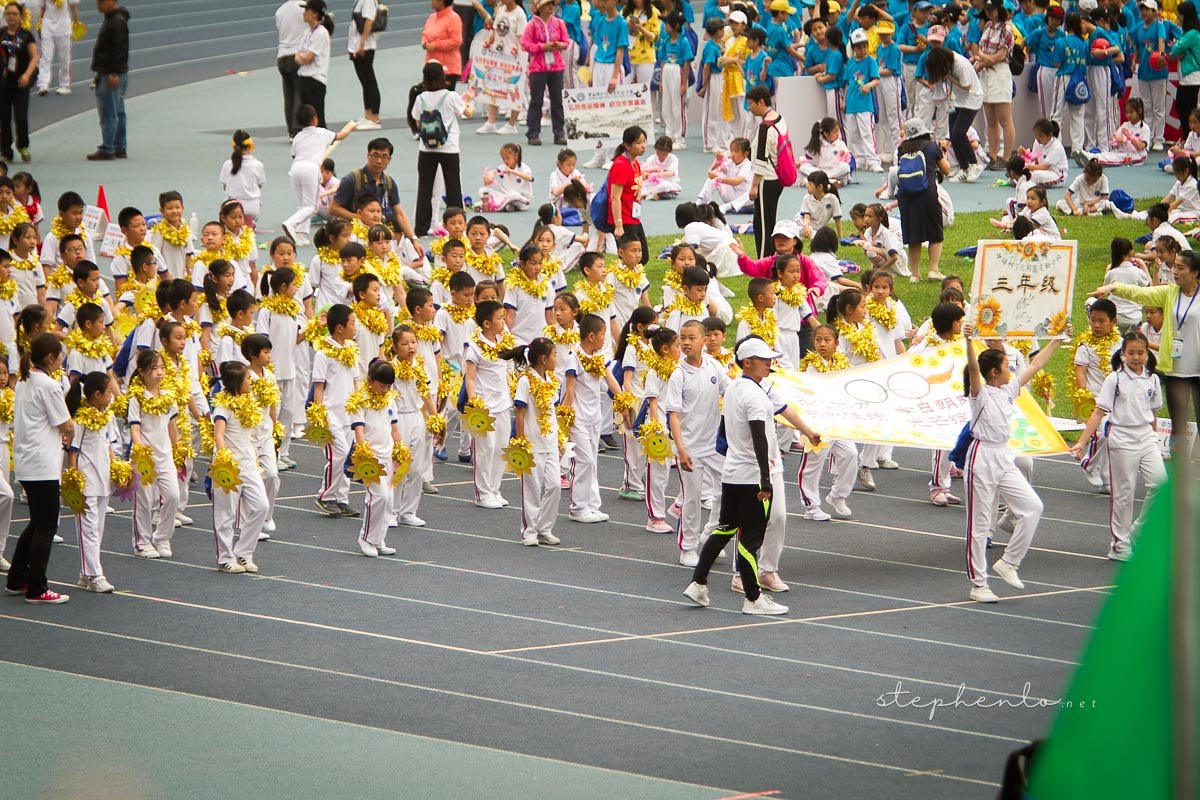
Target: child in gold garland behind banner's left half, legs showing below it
827,358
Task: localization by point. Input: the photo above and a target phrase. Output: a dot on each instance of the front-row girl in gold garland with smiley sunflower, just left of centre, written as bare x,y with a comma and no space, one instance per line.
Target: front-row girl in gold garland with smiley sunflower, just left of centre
537,423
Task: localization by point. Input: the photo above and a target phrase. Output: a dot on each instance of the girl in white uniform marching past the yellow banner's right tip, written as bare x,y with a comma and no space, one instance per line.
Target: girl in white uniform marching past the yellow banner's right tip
1130,399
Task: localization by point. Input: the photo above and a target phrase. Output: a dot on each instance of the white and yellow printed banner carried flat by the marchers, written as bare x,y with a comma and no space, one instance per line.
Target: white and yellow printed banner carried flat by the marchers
911,401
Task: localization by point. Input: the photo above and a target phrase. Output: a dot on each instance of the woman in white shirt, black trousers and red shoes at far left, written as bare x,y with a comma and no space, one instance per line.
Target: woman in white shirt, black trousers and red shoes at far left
41,419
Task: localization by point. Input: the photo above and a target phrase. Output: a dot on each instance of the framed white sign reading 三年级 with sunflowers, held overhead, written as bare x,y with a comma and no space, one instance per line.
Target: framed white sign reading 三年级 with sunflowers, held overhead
1023,290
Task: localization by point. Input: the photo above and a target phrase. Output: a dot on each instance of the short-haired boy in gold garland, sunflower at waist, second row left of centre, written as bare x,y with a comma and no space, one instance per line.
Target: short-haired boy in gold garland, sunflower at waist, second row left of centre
487,377
